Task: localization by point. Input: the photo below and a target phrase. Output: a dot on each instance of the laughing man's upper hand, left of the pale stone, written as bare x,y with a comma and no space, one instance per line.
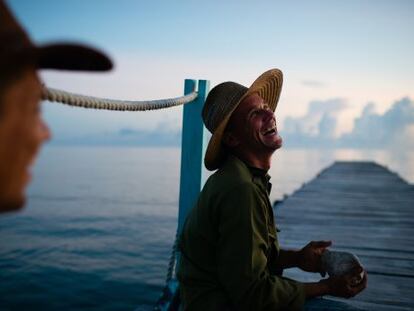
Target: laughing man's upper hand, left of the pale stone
309,257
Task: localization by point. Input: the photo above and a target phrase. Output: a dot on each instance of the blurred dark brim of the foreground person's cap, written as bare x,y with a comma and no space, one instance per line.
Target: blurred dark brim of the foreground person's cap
71,57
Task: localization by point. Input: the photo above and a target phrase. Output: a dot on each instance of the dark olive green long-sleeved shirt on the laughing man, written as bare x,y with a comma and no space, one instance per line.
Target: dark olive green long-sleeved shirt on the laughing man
229,247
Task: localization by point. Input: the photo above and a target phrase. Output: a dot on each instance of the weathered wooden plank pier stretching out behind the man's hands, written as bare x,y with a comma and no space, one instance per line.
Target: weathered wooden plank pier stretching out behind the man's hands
365,209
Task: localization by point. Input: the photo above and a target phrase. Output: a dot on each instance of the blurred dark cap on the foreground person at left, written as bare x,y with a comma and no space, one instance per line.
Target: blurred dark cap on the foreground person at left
16,49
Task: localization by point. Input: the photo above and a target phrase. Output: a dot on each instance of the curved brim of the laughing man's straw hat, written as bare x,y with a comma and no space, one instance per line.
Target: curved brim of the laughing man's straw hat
269,86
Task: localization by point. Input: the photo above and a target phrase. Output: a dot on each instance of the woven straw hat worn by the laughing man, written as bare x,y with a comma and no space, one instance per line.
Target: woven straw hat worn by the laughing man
224,99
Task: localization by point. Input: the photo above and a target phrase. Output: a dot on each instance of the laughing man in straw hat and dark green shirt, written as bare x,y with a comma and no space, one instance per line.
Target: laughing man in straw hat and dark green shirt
231,258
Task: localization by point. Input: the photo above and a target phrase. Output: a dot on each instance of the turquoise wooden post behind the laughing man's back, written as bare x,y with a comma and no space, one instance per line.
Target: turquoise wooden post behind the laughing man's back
192,150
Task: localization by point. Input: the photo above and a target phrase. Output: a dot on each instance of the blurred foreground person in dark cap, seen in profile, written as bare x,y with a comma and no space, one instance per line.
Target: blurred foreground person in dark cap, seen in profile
22,130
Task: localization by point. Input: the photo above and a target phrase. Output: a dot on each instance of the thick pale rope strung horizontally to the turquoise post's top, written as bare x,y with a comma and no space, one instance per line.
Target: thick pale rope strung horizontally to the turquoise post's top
77,100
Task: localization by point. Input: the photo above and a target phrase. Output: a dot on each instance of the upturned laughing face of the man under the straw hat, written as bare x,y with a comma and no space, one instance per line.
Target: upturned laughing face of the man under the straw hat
253,125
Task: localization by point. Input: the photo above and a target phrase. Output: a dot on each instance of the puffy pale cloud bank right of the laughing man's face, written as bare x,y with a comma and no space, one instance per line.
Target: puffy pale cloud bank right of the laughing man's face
393,129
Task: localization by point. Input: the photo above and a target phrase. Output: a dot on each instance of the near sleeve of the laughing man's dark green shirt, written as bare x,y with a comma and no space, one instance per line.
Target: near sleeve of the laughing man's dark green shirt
243,244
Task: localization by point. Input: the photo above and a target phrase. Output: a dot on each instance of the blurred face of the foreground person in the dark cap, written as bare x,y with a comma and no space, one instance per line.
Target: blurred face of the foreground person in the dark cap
22,132
